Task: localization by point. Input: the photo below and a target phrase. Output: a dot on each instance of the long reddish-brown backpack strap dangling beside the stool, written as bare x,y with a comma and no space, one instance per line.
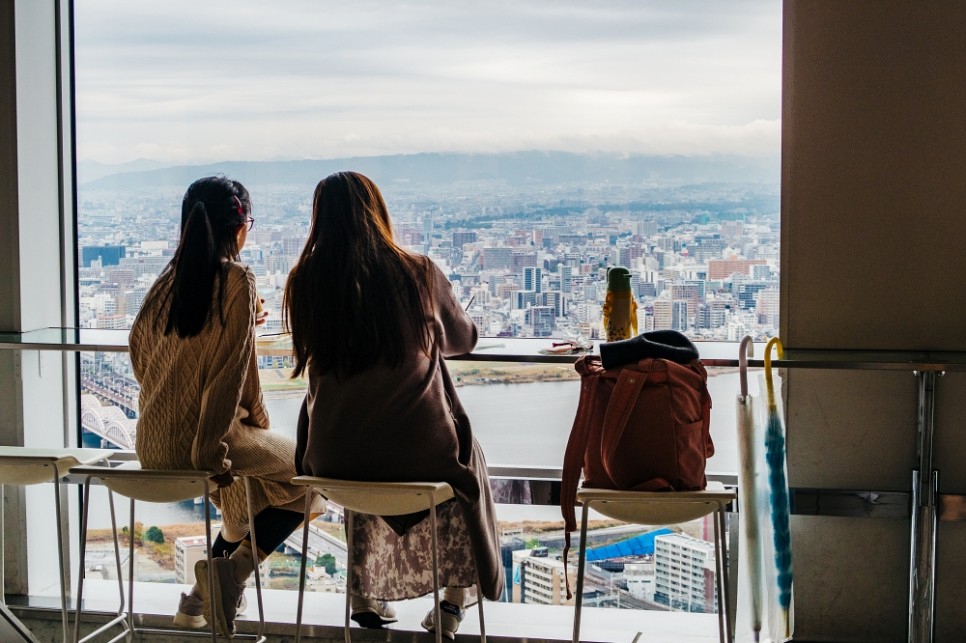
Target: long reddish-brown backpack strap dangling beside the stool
574,456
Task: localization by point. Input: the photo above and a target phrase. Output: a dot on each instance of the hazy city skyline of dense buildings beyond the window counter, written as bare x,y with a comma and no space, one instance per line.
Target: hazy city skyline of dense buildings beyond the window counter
704,259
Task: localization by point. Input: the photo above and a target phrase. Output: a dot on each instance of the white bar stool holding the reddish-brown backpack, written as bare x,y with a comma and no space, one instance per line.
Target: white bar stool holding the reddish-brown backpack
659,508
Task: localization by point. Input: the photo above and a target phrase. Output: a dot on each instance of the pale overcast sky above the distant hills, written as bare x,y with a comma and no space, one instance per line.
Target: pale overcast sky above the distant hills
204,81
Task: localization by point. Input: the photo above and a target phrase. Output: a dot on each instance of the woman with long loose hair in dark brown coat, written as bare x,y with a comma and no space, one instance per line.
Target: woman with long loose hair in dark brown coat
371,324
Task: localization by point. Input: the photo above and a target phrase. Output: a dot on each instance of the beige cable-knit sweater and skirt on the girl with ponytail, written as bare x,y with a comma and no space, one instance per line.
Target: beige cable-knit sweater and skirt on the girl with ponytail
201,405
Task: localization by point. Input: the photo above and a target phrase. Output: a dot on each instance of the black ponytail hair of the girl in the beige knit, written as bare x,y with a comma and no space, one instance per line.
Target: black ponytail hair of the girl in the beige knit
211,211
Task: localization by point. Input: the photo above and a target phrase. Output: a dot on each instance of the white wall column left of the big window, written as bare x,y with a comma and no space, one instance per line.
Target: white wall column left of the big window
34,288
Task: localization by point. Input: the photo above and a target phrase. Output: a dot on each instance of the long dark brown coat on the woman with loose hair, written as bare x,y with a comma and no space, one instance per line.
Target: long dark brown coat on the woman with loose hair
407,424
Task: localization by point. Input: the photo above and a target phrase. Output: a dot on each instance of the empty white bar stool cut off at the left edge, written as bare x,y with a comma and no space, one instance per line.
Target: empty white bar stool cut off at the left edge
23,466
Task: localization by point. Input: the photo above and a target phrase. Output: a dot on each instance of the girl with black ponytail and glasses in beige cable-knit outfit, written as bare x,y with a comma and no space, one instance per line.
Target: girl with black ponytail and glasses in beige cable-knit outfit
193,354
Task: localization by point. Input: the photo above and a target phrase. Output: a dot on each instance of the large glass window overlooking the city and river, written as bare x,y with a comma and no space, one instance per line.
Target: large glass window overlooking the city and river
525,146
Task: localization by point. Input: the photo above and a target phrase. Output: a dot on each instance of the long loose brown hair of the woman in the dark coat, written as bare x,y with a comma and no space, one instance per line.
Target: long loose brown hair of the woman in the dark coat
354,291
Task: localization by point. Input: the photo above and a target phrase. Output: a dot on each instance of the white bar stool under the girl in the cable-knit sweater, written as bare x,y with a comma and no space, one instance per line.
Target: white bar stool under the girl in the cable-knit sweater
161,486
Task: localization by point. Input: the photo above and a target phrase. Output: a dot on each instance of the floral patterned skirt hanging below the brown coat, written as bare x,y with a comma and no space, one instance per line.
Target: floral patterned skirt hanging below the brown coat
390,567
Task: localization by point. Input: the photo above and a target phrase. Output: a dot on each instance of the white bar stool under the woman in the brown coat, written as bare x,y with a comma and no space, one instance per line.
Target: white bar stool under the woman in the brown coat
377,499
